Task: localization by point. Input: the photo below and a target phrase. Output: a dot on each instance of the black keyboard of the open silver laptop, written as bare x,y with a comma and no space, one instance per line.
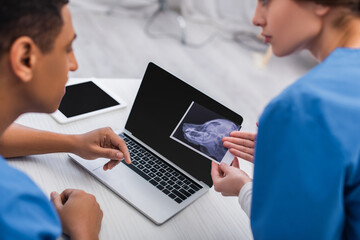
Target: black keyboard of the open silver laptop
159,173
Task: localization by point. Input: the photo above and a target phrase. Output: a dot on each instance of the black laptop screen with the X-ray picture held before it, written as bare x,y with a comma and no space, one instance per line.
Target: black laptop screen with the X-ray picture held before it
180,122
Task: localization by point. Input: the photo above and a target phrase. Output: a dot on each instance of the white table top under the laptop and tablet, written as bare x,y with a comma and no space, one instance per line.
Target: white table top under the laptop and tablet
210,217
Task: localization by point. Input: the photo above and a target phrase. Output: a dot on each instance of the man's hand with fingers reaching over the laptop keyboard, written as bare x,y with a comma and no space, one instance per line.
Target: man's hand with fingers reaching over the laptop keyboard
102,143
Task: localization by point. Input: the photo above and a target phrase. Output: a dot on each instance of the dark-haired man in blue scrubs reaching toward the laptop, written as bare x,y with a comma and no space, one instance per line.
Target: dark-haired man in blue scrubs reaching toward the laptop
35,57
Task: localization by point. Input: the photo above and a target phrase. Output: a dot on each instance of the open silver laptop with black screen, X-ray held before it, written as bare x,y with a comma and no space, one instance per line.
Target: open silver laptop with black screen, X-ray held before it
172,133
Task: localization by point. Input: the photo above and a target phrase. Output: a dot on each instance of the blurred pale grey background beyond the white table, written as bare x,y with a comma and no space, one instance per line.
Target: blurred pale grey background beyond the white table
216,51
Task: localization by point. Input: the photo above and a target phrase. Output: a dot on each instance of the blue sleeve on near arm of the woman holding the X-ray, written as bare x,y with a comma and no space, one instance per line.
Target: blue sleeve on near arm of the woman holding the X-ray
298,175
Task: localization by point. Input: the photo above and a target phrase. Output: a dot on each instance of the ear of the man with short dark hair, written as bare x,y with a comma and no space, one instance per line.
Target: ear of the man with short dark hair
23,57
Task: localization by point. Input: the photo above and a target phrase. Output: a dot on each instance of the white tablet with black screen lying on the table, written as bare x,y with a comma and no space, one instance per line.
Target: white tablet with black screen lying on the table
85,98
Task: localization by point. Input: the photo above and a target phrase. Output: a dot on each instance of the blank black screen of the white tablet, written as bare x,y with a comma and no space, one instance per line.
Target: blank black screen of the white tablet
84,98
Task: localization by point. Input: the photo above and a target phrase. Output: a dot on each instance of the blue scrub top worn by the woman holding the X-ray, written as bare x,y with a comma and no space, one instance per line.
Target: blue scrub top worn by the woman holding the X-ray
307,159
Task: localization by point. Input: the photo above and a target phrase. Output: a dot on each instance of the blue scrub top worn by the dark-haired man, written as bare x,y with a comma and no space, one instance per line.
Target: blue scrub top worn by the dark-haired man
25,212
